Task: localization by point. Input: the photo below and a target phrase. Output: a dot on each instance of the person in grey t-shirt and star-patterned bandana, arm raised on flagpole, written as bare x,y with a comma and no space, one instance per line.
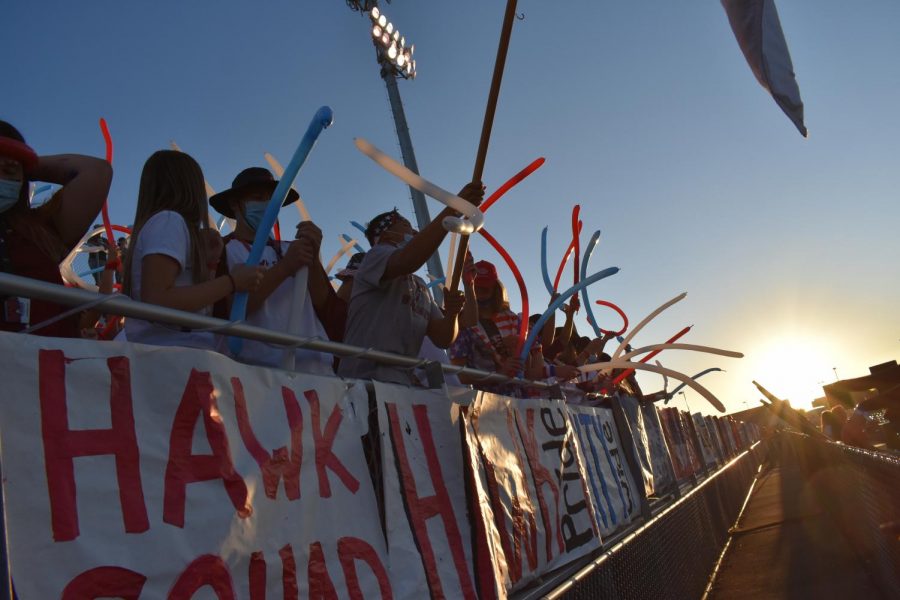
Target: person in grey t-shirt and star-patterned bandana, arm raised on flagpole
390,307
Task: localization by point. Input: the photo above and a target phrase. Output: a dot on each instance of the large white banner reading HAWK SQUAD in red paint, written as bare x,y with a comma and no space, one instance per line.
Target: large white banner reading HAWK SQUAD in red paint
138,471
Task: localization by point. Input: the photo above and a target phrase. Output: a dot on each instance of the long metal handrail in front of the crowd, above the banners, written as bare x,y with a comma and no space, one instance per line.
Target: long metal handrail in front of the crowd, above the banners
16,285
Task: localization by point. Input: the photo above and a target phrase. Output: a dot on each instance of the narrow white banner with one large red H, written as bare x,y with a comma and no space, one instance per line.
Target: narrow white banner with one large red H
428,530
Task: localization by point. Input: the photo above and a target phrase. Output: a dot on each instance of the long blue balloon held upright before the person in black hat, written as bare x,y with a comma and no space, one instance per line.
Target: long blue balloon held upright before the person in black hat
323,118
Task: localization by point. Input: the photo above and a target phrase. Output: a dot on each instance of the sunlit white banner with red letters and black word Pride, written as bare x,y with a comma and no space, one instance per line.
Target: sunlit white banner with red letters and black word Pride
536,483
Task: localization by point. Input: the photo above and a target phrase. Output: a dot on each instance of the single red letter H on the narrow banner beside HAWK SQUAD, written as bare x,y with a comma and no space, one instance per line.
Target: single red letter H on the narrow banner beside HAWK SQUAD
421,509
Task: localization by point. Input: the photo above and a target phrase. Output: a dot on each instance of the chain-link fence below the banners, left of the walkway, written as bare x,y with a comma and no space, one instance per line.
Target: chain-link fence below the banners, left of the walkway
673,554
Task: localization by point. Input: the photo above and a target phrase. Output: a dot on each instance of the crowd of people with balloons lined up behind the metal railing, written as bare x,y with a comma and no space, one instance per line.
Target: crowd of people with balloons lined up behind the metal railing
175,259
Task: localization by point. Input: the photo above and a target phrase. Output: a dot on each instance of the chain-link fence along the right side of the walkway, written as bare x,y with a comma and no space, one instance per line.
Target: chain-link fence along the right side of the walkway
860,491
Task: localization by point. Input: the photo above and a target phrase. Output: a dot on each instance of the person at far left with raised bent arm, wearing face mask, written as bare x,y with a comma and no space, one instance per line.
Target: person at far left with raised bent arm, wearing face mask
33,241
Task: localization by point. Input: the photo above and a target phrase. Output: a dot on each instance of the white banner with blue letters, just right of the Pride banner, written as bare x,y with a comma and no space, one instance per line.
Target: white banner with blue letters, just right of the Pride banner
613,489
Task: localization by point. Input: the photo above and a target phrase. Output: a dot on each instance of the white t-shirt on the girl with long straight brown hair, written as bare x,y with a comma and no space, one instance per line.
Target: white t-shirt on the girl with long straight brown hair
165,233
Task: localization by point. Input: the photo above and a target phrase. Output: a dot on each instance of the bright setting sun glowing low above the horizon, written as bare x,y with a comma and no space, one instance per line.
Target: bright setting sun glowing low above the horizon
794,368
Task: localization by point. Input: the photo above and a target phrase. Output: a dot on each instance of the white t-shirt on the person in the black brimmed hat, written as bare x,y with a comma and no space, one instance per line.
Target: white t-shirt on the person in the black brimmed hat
274,314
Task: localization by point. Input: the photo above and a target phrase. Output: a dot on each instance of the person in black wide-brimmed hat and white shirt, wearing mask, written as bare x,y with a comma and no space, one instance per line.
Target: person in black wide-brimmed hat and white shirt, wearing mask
271,304
